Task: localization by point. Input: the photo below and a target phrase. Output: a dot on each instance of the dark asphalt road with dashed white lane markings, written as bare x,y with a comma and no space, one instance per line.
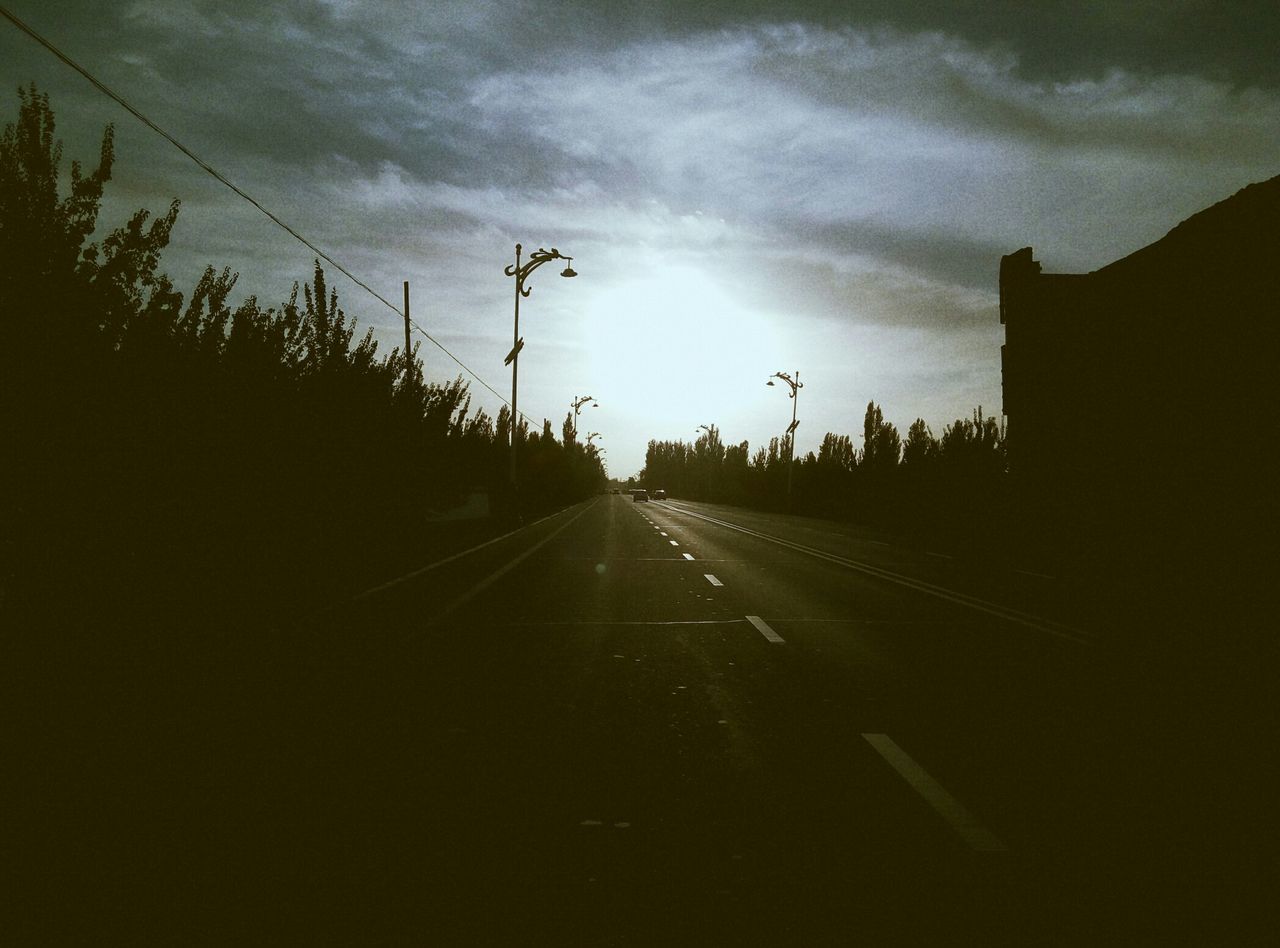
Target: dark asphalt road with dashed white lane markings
676,723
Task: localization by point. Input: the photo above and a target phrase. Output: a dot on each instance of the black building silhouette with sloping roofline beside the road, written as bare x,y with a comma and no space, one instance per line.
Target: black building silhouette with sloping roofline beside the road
1141,397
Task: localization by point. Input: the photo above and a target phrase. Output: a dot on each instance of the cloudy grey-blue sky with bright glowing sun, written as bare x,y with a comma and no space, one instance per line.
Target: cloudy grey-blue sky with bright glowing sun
746,187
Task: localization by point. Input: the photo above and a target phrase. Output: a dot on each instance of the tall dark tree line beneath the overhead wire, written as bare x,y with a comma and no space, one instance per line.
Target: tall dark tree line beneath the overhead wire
216,452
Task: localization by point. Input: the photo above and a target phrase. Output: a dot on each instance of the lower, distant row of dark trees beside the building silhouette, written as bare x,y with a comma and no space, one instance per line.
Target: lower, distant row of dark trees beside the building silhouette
954,486
